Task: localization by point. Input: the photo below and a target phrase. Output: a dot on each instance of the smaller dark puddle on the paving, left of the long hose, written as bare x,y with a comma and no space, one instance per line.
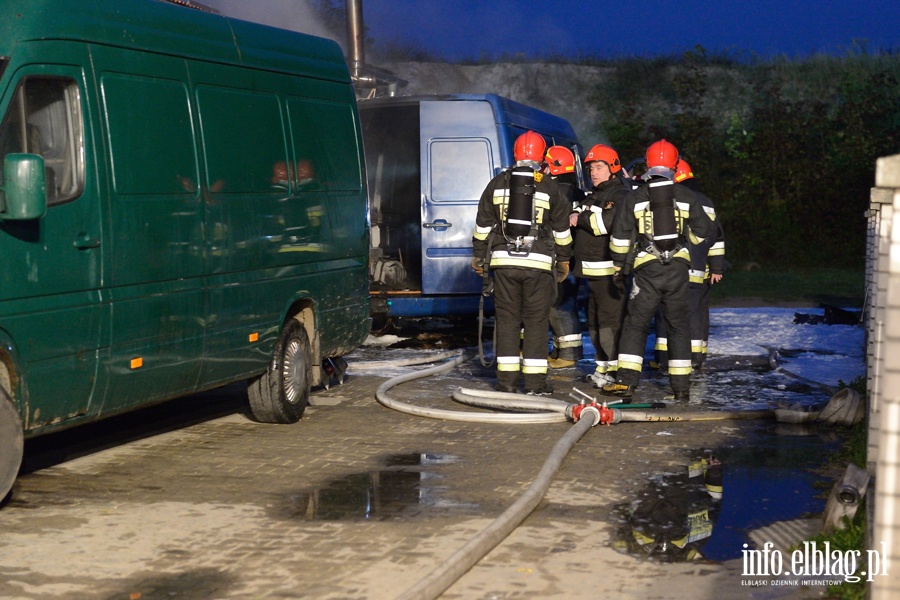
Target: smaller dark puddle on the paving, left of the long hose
408,485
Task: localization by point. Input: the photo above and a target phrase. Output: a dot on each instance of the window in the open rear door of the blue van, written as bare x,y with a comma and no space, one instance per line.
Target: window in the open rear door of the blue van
460,169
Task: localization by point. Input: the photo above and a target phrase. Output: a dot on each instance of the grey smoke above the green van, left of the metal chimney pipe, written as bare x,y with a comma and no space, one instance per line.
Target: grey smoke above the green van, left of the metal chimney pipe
295,15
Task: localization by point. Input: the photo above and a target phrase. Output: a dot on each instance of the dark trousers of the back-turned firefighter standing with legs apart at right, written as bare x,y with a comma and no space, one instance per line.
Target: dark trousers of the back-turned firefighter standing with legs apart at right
665,287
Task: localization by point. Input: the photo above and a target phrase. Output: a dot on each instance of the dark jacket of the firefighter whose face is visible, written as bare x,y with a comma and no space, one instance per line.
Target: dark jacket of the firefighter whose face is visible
593,258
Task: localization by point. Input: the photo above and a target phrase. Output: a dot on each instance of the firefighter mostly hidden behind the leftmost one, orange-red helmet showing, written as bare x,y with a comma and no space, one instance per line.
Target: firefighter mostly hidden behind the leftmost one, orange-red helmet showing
564,321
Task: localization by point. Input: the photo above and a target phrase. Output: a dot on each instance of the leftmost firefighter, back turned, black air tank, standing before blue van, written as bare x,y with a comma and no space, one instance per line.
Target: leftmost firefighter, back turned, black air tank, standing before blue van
522,236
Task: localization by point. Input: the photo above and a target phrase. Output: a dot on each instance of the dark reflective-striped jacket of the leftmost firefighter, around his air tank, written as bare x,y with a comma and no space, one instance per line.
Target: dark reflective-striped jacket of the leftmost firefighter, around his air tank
553,240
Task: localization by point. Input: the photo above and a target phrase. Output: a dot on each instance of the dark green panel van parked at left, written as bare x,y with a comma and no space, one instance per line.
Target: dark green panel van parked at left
182,206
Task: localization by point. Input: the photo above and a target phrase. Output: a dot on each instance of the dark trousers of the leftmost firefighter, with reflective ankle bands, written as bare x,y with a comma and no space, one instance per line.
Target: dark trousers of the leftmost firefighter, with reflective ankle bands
522,301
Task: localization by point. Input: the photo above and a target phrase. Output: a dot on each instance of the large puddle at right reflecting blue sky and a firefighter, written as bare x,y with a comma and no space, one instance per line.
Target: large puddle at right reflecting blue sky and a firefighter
766,477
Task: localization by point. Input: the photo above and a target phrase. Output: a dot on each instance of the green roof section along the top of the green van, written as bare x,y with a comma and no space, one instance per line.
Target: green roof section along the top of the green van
165,27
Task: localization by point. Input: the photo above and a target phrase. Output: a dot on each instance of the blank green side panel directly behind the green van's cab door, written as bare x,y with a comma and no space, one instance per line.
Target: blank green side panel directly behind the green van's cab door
150,135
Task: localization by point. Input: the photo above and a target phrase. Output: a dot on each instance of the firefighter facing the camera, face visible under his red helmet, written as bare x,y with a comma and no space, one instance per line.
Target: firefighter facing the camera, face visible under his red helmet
593,260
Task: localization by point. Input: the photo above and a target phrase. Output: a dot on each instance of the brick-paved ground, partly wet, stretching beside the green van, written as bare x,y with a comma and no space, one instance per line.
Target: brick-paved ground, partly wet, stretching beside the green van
356,501
